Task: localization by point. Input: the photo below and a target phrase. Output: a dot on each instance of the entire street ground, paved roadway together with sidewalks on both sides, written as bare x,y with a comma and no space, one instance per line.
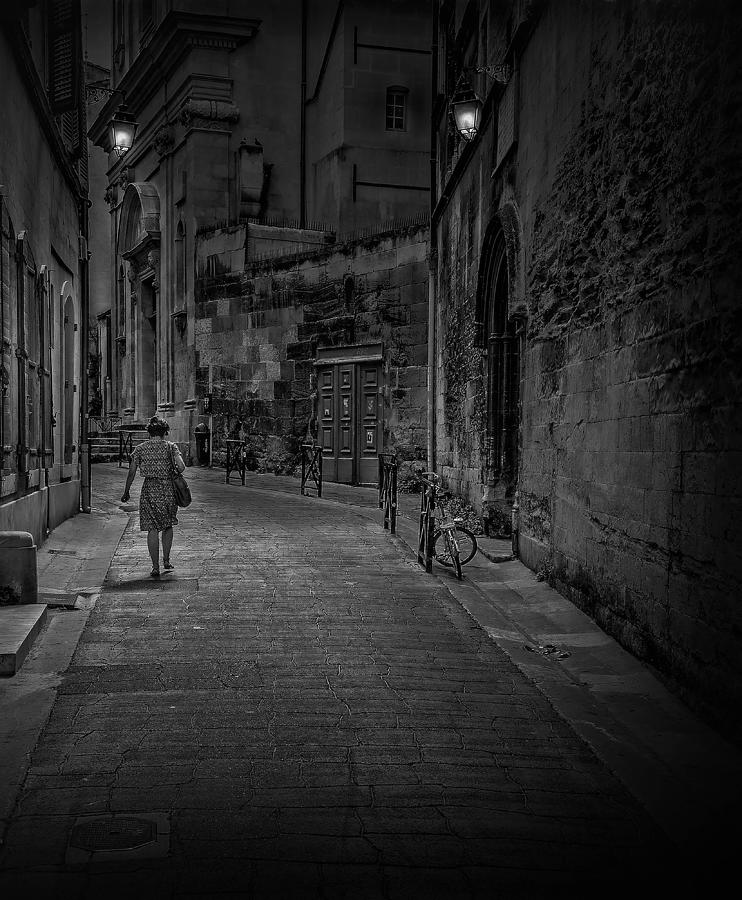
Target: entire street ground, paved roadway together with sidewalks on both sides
302,707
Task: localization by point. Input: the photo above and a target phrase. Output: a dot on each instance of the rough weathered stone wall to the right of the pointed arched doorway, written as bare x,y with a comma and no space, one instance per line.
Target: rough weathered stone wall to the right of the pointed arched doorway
631,409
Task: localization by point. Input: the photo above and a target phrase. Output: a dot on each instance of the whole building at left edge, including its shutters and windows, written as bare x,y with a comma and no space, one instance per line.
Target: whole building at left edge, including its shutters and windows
43,265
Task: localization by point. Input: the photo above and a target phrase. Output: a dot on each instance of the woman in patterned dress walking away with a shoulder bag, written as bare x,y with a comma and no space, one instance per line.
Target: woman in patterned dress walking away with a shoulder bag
158,508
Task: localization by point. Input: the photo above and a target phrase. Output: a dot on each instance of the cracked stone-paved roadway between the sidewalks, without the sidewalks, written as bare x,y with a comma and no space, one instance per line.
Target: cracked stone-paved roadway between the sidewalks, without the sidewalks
305,713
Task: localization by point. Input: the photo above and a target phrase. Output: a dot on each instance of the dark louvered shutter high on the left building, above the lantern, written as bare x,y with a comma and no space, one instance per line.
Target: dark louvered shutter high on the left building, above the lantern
64,55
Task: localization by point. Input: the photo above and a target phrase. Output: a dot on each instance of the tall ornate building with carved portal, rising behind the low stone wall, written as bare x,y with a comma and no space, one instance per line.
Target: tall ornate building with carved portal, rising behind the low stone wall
299,120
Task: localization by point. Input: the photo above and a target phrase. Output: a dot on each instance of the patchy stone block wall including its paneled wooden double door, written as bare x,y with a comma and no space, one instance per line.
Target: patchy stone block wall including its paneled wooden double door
327,345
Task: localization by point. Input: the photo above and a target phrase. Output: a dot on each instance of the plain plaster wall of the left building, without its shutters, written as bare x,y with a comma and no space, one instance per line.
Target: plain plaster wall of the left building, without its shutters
40,203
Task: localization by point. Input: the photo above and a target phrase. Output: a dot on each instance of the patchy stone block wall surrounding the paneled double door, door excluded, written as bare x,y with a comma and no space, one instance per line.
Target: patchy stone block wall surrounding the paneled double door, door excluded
257,332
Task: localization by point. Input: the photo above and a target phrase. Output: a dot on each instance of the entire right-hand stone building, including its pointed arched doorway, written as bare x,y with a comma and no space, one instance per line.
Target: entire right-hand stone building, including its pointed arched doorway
587,317
